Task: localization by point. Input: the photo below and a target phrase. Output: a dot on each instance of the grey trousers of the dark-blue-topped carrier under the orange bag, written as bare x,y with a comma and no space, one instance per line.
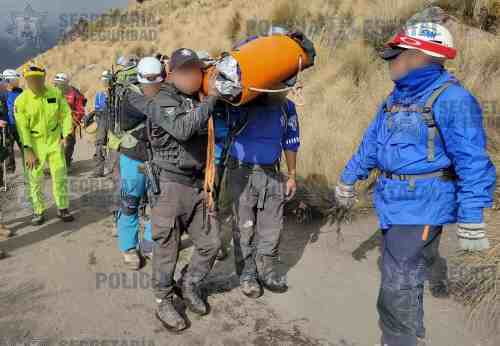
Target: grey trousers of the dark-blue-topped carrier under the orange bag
258,197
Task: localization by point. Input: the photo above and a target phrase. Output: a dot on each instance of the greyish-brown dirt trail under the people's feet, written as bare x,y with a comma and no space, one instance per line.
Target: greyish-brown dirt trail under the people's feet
66,283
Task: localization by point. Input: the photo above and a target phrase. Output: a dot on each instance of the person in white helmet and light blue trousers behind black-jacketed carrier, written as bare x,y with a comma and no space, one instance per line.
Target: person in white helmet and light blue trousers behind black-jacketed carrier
133,152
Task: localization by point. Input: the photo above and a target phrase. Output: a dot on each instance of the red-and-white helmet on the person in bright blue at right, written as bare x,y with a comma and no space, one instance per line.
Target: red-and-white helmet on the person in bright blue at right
430,38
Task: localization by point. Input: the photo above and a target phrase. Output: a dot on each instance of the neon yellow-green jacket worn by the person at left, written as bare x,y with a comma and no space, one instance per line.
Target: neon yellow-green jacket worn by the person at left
42,121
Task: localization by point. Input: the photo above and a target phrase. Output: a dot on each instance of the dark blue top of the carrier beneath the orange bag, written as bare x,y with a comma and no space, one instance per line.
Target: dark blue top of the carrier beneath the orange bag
271,128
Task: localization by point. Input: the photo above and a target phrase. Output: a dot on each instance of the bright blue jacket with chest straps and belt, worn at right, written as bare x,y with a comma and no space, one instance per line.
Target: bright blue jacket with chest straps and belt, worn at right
402,149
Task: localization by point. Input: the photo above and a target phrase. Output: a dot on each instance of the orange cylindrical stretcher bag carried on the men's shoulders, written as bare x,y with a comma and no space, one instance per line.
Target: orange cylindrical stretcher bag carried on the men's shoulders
265,62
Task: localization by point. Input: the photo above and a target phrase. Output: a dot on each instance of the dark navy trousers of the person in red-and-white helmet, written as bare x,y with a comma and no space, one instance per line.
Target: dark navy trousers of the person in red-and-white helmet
406,258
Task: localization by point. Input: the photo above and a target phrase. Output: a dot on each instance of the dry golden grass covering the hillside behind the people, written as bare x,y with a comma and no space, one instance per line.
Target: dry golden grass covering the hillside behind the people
342,91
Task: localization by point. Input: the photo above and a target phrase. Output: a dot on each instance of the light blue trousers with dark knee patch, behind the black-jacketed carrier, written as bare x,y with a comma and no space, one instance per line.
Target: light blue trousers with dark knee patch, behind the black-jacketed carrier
133,189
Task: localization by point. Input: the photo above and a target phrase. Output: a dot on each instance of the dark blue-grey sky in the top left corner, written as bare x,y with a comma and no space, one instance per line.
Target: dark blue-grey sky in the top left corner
49,18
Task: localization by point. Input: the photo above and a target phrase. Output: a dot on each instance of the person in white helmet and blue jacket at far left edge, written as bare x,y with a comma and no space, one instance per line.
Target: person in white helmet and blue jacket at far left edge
13,91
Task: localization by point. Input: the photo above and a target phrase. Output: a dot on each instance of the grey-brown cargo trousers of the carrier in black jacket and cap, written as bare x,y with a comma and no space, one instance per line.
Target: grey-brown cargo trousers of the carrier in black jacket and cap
179,208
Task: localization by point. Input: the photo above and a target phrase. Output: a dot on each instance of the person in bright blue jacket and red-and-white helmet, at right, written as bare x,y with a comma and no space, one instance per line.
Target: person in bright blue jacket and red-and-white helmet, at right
428,142
